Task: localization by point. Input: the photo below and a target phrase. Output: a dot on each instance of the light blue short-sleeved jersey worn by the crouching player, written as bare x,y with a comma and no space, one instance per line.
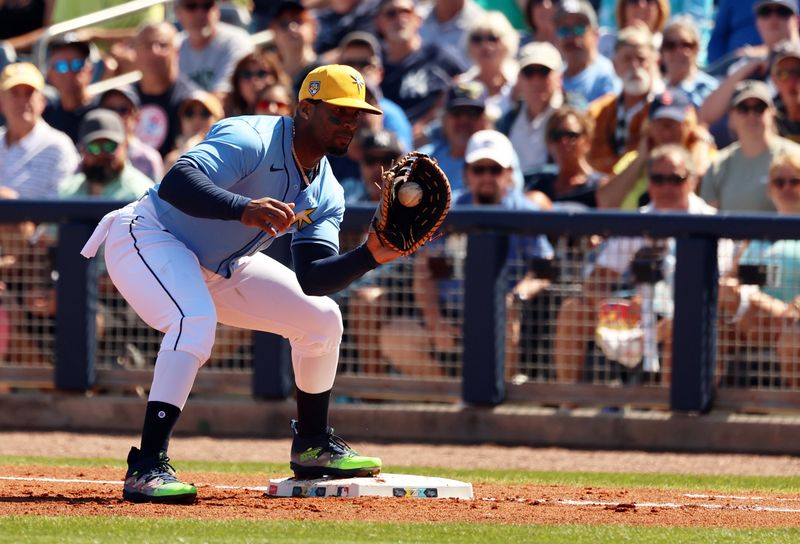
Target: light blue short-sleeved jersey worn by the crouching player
252,156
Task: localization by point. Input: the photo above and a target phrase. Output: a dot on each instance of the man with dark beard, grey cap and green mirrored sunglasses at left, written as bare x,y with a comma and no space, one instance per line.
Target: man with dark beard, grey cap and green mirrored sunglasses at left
105,170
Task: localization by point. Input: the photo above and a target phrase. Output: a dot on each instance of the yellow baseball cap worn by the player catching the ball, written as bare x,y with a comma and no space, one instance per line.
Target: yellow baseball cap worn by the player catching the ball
338,85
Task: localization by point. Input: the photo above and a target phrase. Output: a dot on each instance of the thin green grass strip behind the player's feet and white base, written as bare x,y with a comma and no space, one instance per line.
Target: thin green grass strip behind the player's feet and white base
726,484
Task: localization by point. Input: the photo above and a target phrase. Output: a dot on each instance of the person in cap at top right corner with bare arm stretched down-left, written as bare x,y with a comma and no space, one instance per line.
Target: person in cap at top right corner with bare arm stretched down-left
776,21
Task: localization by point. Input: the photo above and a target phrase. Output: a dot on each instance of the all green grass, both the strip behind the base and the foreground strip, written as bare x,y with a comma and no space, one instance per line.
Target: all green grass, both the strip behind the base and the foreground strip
102,529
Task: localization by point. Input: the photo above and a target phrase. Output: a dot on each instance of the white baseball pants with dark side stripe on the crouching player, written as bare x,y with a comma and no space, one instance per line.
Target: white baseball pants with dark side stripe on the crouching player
164,283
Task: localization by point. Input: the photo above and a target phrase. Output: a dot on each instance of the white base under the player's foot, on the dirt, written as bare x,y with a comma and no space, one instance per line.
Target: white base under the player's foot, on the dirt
382,485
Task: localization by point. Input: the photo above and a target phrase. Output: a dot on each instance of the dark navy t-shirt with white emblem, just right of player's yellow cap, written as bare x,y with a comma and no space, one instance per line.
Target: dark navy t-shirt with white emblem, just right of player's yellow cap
418,81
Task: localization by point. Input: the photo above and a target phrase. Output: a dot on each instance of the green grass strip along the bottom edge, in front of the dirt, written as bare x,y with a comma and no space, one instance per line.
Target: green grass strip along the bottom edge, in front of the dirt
123,529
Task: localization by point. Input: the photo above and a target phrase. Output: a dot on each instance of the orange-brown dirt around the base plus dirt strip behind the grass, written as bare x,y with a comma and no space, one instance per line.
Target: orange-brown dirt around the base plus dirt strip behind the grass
41,491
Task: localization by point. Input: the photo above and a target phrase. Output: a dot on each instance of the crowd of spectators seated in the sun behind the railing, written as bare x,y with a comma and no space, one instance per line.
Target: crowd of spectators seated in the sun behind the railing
688,105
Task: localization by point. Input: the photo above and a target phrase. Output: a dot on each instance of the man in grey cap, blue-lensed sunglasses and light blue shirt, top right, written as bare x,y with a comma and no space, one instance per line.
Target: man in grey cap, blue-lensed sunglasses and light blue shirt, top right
588,74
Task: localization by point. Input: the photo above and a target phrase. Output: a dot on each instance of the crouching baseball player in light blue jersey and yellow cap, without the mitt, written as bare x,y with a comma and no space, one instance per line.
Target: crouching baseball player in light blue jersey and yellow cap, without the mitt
187,256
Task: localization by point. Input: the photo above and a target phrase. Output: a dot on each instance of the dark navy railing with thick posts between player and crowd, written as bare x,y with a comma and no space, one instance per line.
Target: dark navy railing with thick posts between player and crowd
480,379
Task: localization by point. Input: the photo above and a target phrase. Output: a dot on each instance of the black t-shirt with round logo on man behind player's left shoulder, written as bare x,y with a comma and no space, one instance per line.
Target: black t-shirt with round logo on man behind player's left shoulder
159,123
